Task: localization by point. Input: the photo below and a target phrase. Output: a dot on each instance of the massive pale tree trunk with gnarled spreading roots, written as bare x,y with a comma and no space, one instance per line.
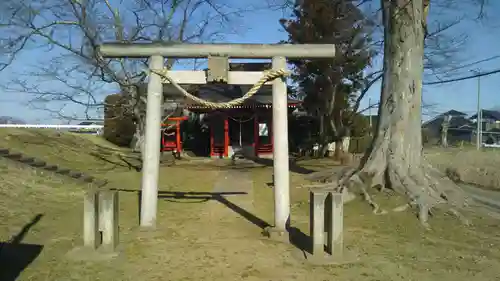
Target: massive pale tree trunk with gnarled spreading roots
395,158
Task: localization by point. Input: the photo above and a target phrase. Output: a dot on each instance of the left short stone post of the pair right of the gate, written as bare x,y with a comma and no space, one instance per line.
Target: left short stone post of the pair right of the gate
317,222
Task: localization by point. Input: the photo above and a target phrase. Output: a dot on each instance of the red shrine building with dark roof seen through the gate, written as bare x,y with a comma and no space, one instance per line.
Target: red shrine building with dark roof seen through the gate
246,127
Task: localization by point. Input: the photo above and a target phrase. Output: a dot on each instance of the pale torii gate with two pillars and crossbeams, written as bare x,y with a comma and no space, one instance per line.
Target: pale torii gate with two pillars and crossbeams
218,55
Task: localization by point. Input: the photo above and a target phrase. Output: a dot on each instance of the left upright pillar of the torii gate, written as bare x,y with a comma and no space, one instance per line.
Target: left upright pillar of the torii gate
151,157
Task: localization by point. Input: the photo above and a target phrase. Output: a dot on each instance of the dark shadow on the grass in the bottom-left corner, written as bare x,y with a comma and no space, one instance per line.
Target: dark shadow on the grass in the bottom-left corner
15,256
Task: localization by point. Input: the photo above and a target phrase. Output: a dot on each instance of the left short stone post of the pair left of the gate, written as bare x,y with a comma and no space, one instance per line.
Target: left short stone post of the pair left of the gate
91,235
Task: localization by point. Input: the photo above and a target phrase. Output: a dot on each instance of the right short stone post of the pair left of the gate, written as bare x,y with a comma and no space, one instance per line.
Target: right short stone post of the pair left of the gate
109,210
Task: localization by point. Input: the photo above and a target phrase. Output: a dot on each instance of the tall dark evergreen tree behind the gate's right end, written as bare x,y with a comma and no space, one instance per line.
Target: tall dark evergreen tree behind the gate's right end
330,86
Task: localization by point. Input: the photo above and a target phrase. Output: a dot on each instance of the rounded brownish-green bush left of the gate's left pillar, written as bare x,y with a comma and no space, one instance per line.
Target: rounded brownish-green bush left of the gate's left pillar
119,127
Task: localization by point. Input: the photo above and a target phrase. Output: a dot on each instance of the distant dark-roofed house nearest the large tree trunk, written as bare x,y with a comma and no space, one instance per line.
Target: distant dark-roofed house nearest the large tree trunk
460,127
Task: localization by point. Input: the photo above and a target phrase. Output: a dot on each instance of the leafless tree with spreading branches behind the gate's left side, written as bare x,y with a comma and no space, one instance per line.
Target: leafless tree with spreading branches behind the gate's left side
69,31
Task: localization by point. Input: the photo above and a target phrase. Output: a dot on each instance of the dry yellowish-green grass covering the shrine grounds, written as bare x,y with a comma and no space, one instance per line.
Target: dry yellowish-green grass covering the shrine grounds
201,239
